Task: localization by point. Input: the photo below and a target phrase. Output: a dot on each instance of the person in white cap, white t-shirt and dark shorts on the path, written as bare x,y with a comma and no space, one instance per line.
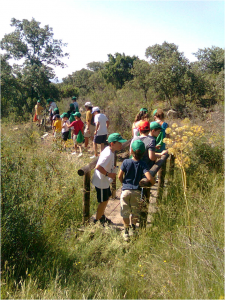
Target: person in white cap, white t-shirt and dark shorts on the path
101,130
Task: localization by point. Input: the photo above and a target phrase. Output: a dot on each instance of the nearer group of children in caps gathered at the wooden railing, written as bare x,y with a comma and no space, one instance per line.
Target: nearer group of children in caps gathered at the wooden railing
147,140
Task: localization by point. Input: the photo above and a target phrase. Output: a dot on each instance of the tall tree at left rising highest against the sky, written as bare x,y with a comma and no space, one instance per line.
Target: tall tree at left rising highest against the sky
39,52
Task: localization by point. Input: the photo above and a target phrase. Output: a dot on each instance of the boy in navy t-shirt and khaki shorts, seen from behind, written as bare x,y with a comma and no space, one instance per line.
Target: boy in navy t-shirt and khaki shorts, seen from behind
131,172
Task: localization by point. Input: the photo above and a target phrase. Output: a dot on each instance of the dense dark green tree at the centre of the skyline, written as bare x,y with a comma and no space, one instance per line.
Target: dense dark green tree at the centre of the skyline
118,69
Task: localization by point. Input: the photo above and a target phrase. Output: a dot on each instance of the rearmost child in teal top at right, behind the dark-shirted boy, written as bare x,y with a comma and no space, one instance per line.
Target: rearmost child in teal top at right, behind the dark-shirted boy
158,115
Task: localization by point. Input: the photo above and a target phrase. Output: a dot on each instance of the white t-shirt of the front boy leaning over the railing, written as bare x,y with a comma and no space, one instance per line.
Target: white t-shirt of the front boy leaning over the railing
106,160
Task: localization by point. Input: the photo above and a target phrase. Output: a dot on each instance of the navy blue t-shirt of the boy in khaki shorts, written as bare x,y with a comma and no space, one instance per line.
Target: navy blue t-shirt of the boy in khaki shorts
134,171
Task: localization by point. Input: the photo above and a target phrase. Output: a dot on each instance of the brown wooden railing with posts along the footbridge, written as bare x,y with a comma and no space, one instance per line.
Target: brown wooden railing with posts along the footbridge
86,172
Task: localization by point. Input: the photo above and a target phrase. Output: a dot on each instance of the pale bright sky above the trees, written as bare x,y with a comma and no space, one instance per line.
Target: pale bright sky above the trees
93,29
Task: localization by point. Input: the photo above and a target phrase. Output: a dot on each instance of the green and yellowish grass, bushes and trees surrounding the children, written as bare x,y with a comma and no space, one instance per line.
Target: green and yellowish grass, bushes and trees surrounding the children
44,255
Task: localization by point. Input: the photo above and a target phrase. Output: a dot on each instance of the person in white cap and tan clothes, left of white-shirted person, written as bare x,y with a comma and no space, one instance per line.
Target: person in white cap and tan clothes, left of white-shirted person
90,125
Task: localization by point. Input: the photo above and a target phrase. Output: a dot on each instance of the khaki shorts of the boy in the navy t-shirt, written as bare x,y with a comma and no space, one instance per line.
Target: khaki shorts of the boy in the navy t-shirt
130,203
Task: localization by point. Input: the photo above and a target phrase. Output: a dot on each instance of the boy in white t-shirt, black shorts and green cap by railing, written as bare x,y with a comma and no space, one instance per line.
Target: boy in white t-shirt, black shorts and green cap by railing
103,173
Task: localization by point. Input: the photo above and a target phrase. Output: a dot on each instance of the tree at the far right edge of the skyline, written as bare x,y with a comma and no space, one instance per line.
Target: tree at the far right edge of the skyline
210,60
